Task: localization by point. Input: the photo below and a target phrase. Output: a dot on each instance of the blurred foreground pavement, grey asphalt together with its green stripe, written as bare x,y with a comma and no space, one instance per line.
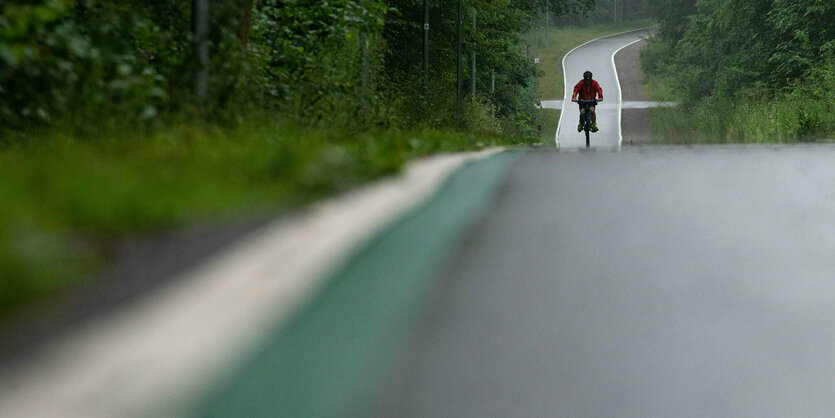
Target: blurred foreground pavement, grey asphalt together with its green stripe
651,281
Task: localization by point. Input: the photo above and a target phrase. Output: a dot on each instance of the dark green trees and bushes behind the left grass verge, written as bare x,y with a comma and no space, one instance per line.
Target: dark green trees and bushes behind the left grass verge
131,62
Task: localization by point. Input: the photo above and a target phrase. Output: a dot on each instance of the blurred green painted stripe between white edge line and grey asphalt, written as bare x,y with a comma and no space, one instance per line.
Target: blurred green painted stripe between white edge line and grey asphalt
332,358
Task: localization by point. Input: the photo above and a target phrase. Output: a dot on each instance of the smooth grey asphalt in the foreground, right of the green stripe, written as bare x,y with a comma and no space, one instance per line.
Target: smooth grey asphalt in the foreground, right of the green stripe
651,282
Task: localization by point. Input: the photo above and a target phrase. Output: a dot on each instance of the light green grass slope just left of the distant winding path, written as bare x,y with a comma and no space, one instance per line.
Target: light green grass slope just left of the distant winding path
550,49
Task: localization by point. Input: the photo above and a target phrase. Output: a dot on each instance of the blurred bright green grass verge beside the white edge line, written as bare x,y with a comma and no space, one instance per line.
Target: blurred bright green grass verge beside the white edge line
66,200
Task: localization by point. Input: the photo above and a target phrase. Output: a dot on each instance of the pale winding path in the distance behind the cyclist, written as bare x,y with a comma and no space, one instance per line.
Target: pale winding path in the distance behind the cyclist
597,57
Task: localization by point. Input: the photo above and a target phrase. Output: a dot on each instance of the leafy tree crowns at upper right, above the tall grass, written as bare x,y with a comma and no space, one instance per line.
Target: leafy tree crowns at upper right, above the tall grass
721,47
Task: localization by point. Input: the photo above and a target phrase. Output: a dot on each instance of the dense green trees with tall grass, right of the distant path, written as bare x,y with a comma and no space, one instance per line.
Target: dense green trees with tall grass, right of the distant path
771,58
